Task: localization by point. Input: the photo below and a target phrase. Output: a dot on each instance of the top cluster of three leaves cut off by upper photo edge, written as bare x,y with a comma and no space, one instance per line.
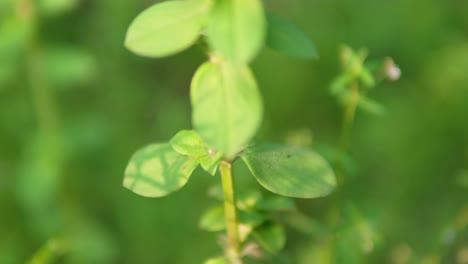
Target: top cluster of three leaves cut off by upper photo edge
236,30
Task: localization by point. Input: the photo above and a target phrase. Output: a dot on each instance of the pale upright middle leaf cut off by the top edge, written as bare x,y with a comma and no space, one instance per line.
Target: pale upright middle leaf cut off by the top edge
237,29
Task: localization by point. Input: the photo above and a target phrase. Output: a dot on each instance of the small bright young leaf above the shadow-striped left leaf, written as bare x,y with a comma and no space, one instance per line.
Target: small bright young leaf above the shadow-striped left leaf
188,142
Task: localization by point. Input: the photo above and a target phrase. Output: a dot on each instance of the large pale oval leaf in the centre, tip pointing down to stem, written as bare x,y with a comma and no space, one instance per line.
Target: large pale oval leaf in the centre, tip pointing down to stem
227,107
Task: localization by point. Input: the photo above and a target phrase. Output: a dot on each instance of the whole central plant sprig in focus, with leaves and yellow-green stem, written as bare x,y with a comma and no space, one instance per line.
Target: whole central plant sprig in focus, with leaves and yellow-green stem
227,106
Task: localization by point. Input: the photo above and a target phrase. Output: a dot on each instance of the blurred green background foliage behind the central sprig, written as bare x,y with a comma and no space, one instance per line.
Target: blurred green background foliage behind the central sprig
74,106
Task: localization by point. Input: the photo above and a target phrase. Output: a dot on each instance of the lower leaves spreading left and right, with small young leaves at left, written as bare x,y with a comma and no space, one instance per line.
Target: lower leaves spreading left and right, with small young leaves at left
159,169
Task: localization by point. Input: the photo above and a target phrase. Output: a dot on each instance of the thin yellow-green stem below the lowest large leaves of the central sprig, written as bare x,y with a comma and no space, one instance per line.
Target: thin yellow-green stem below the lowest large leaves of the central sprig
230,212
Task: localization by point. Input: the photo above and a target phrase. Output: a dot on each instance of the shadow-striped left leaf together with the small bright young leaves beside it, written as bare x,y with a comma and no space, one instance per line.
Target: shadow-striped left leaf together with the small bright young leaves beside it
160,169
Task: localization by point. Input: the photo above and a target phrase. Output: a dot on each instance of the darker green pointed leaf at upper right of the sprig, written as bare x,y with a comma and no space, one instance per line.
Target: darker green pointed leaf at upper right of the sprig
283,36
